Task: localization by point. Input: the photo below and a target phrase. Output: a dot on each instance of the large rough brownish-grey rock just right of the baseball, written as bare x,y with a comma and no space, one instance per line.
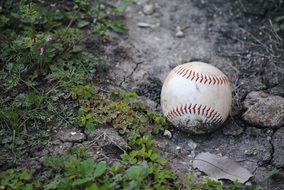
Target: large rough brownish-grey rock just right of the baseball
264,110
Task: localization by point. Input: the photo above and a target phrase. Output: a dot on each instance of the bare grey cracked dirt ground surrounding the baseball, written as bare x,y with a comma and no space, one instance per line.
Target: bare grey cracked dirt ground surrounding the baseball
235,36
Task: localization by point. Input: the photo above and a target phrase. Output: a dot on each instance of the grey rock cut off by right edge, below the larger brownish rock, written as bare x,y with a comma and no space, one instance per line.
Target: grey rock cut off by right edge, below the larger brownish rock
278,143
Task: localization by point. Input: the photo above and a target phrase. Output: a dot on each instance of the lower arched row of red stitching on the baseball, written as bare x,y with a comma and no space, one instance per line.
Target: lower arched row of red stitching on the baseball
211,114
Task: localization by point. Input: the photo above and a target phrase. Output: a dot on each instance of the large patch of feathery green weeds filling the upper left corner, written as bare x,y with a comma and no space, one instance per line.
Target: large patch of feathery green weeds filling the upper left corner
42,59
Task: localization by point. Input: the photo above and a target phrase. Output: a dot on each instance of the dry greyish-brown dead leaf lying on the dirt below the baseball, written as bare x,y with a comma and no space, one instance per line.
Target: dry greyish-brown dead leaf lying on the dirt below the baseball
221,167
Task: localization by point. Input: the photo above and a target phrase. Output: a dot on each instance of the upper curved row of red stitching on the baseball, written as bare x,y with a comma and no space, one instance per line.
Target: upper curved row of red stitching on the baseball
200,77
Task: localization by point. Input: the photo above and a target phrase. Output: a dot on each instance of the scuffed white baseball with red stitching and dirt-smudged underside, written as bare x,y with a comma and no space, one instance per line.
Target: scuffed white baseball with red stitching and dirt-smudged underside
196,97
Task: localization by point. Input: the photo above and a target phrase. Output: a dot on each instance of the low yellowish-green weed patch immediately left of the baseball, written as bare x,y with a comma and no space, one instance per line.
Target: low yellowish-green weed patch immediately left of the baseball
119,109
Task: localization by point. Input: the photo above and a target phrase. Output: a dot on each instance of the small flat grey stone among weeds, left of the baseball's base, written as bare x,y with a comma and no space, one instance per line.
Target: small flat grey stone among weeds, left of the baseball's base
70,135
